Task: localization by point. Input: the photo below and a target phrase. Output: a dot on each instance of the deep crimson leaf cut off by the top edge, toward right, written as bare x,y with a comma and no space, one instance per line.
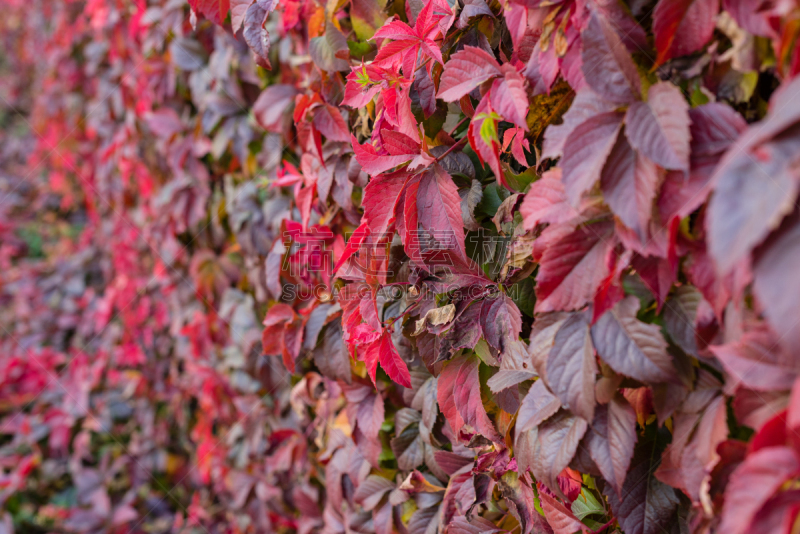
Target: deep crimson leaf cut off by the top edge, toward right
682,27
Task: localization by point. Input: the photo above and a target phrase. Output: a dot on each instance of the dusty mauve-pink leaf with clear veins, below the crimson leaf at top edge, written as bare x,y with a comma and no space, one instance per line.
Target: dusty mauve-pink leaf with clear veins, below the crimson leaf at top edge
659,129
